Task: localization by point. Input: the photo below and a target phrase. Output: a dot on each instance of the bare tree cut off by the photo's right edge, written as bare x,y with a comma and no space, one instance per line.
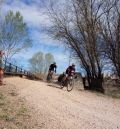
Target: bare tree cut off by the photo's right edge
110,30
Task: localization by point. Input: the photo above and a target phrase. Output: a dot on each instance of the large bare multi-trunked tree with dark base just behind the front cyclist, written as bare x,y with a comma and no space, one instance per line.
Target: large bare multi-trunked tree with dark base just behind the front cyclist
76,25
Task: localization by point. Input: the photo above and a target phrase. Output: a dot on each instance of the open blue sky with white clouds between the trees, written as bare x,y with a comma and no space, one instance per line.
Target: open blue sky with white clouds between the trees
34,15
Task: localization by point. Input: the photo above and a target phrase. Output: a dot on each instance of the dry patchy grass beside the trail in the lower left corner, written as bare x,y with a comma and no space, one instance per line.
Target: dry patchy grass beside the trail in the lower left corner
14,114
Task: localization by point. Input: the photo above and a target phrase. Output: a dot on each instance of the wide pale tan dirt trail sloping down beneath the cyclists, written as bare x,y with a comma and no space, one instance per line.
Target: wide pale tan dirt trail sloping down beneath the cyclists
59,109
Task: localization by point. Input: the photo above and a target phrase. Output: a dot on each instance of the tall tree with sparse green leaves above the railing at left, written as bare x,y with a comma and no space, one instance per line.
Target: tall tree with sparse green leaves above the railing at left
14,35
